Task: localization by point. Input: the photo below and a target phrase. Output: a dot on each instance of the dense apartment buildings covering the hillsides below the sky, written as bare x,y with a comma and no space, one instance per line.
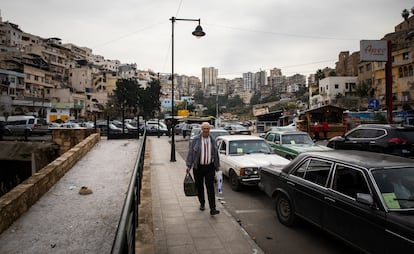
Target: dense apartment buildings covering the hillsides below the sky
51,79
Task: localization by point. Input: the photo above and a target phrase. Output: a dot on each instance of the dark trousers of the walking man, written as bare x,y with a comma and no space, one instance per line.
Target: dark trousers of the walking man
204,174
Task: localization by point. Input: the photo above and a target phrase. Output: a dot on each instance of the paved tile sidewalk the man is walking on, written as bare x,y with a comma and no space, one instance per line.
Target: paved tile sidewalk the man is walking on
179,226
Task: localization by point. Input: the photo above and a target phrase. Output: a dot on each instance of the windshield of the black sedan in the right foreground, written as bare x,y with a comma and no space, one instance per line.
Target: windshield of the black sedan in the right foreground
396,187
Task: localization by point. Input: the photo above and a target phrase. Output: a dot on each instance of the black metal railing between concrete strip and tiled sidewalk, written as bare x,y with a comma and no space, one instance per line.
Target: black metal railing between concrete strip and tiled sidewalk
124,241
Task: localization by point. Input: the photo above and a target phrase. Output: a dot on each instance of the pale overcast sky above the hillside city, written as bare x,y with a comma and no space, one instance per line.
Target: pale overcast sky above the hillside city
298,36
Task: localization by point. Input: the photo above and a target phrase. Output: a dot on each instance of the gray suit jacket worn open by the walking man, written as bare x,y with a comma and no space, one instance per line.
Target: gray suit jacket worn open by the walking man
194,153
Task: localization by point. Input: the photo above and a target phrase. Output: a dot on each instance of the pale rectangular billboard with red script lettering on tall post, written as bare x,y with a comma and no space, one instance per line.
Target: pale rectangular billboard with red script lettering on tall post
373,50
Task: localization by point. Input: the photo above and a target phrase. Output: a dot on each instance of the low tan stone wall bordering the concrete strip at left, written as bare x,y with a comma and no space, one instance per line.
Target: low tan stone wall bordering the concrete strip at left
22,197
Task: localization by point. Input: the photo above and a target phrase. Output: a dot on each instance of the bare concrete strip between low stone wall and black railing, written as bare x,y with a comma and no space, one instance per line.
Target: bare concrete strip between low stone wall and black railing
62,221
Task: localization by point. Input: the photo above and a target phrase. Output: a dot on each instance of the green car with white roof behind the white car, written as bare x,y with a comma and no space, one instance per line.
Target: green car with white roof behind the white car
289,144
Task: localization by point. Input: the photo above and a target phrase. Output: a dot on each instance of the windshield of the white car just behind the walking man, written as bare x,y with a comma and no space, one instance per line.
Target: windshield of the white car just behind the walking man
240,147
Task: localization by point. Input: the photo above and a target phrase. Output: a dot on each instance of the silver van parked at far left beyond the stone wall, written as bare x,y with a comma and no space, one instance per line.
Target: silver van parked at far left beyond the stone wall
26,125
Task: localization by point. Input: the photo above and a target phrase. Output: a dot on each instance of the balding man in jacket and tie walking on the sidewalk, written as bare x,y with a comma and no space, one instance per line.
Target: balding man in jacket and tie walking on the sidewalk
203,158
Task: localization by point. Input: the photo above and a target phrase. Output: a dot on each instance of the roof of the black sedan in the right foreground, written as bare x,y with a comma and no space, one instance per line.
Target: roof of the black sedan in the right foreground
361,158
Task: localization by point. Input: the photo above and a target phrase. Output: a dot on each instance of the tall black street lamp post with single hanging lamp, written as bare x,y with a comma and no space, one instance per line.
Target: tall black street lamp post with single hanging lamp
198,32
